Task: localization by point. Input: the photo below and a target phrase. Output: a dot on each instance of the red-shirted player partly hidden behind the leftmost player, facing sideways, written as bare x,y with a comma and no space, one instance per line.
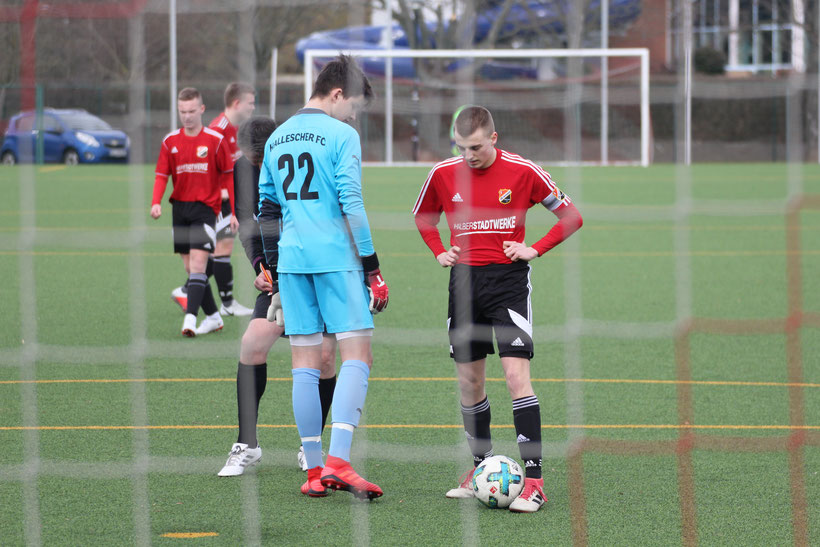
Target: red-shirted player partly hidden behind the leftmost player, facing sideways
240,102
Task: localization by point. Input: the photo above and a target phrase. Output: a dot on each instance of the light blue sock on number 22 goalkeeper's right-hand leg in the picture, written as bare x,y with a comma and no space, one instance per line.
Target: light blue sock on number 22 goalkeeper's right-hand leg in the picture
348,402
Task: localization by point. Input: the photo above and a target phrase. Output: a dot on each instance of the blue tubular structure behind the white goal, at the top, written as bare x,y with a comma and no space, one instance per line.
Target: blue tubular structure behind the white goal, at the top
537,16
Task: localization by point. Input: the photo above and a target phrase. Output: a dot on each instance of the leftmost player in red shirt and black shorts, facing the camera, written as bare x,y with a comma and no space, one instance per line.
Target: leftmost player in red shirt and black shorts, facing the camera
197,160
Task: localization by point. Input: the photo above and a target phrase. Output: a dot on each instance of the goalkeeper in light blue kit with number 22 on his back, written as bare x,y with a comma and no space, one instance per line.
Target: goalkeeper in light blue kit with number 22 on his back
310,189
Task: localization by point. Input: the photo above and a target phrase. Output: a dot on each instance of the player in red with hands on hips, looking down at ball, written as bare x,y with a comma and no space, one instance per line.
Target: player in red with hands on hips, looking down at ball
485,194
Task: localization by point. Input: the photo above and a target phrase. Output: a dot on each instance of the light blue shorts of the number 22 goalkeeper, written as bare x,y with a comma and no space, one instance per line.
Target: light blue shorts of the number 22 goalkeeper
338,301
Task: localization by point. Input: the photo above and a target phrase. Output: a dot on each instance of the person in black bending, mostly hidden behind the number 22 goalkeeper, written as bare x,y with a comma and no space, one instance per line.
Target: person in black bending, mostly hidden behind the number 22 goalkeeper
259,337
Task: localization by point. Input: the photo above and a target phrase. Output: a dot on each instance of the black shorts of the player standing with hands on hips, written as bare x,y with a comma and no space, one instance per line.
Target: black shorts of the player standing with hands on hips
490,298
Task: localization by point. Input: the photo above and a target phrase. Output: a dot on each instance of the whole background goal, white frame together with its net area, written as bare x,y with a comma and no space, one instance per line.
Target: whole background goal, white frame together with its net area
557,106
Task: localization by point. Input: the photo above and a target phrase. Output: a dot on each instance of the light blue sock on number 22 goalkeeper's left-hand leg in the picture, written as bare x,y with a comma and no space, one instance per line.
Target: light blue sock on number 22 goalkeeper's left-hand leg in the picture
307,411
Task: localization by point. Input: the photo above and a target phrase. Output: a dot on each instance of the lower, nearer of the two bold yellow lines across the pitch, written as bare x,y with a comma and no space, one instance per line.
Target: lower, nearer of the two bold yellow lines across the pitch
417,426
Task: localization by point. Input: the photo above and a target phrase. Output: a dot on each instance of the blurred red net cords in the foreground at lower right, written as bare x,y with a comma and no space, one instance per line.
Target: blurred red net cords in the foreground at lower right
798,436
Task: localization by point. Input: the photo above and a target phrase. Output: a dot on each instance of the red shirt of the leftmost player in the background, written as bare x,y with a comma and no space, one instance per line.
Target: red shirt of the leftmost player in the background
196,165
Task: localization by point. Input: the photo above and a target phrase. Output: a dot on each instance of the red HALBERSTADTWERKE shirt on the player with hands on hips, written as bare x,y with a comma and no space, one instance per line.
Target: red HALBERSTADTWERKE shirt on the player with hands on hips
484,207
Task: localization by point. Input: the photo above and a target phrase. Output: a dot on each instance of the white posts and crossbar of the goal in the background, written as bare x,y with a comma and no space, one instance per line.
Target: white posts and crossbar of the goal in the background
641,53
